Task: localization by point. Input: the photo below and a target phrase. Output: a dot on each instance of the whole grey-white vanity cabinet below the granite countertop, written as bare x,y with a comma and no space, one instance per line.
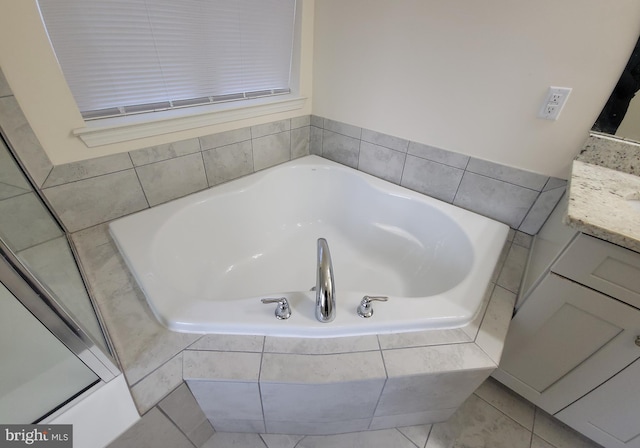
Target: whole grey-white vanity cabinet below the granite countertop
573,347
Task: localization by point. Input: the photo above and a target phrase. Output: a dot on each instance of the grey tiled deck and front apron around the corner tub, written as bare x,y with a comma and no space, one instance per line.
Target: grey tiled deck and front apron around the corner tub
156,360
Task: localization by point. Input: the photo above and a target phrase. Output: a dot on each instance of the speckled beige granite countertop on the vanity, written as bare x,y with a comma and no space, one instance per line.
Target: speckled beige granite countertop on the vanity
604,191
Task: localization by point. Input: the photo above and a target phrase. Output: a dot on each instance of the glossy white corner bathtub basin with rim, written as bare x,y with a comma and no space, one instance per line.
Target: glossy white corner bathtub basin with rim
204,262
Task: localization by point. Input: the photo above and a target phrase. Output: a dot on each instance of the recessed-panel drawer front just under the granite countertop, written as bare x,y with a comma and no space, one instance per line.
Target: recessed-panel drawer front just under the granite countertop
606,267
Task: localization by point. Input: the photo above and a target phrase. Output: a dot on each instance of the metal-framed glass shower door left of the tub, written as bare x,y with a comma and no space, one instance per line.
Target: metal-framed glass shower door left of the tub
51,343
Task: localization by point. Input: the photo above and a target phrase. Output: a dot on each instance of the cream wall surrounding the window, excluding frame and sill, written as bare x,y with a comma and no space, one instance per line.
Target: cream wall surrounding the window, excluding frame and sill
33,73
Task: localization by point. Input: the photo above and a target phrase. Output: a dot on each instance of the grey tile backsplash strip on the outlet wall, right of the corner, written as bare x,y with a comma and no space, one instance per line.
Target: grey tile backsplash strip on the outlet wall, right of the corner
519,198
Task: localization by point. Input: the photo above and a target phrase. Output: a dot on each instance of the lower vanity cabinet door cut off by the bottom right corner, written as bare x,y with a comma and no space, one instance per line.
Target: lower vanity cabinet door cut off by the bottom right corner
610,414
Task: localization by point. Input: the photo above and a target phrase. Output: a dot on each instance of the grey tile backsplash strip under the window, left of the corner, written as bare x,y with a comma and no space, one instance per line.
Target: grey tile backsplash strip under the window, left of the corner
94,191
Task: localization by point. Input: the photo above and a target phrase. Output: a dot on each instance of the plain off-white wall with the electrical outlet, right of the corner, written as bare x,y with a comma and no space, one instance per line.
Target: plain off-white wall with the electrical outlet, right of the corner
470,76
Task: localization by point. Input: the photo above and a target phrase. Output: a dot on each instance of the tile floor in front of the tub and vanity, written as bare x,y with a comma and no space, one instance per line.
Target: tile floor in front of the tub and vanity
493,417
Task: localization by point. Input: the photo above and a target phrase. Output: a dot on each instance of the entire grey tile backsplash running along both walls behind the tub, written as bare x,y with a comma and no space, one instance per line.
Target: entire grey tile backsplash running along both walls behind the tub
90,192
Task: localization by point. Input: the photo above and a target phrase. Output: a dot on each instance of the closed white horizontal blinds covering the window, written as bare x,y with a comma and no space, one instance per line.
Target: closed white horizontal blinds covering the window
130,56
